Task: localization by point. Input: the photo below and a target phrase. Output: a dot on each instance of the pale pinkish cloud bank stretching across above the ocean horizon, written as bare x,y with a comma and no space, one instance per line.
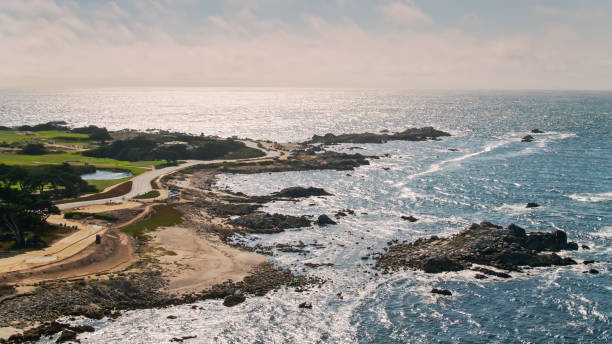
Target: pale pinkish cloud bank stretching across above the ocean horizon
77,46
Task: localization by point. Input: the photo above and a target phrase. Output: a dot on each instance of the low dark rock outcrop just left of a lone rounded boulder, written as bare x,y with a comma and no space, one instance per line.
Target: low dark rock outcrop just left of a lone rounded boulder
260,222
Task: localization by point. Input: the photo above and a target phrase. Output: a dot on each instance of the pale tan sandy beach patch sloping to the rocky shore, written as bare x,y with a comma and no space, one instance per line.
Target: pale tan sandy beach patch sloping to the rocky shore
195,263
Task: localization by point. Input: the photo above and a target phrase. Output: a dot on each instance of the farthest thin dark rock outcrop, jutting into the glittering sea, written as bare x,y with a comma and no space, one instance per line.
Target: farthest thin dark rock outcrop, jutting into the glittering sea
412,134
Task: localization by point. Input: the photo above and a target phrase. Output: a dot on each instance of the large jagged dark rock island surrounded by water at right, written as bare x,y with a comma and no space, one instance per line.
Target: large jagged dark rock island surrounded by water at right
485,244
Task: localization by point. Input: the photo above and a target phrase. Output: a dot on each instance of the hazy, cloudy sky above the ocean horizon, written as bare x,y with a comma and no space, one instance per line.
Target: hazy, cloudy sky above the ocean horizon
414,44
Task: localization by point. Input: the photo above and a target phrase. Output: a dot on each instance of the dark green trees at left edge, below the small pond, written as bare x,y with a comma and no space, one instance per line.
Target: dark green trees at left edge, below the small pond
25,197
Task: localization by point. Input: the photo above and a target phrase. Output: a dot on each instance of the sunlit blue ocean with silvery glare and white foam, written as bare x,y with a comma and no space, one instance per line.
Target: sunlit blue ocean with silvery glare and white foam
489,175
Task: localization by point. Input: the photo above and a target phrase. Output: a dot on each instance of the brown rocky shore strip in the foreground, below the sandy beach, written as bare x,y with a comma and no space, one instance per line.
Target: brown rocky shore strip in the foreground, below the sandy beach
97,299
